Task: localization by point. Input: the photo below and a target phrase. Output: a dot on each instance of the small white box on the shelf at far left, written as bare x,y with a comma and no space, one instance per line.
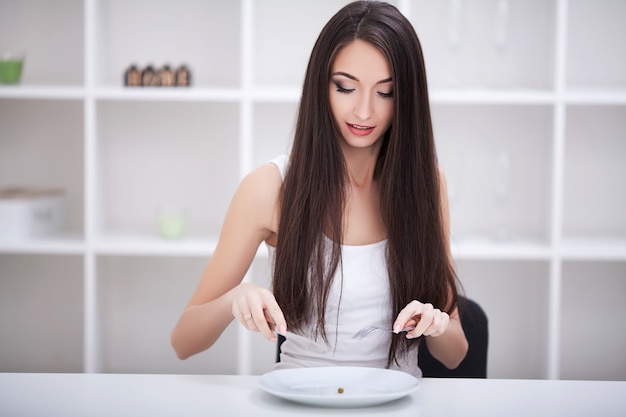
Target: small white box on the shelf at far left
27,212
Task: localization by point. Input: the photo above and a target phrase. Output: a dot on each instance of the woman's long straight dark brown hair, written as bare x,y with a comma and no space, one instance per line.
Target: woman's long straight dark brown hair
314,189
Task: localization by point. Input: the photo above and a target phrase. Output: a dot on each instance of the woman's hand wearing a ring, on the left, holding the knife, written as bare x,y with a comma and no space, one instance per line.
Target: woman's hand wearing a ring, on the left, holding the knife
256,309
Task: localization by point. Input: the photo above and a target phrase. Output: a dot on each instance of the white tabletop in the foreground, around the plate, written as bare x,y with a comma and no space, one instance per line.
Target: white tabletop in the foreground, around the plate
94,395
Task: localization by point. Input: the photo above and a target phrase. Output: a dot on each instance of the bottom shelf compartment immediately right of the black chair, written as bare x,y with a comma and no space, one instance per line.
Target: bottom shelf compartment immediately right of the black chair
515,298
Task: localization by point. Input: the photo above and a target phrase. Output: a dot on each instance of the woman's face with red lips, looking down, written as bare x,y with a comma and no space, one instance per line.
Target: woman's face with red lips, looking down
361,94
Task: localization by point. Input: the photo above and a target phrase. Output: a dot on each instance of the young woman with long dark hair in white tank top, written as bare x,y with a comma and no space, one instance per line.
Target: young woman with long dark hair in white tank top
356,217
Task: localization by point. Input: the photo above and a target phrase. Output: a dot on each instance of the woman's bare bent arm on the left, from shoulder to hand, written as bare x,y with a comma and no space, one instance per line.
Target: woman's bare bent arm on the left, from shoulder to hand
220,295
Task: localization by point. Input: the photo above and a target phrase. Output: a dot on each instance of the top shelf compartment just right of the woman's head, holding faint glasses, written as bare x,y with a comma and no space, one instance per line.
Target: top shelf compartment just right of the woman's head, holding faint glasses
460,42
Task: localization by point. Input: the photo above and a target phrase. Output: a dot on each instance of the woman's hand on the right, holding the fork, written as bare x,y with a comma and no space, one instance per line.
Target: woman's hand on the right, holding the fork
428,321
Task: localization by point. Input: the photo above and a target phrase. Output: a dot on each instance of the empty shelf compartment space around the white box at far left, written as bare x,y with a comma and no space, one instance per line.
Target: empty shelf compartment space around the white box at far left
37,150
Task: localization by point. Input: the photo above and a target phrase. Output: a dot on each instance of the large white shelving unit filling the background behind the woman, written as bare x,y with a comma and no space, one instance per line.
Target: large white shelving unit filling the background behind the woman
529,110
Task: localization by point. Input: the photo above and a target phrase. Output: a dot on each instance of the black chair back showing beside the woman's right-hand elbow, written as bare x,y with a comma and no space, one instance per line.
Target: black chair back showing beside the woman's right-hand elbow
475,325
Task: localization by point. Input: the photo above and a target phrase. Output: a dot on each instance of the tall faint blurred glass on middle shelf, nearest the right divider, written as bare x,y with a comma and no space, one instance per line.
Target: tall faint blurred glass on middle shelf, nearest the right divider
502,190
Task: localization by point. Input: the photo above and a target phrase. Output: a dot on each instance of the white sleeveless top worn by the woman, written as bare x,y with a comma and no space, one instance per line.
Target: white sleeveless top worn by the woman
359,297
